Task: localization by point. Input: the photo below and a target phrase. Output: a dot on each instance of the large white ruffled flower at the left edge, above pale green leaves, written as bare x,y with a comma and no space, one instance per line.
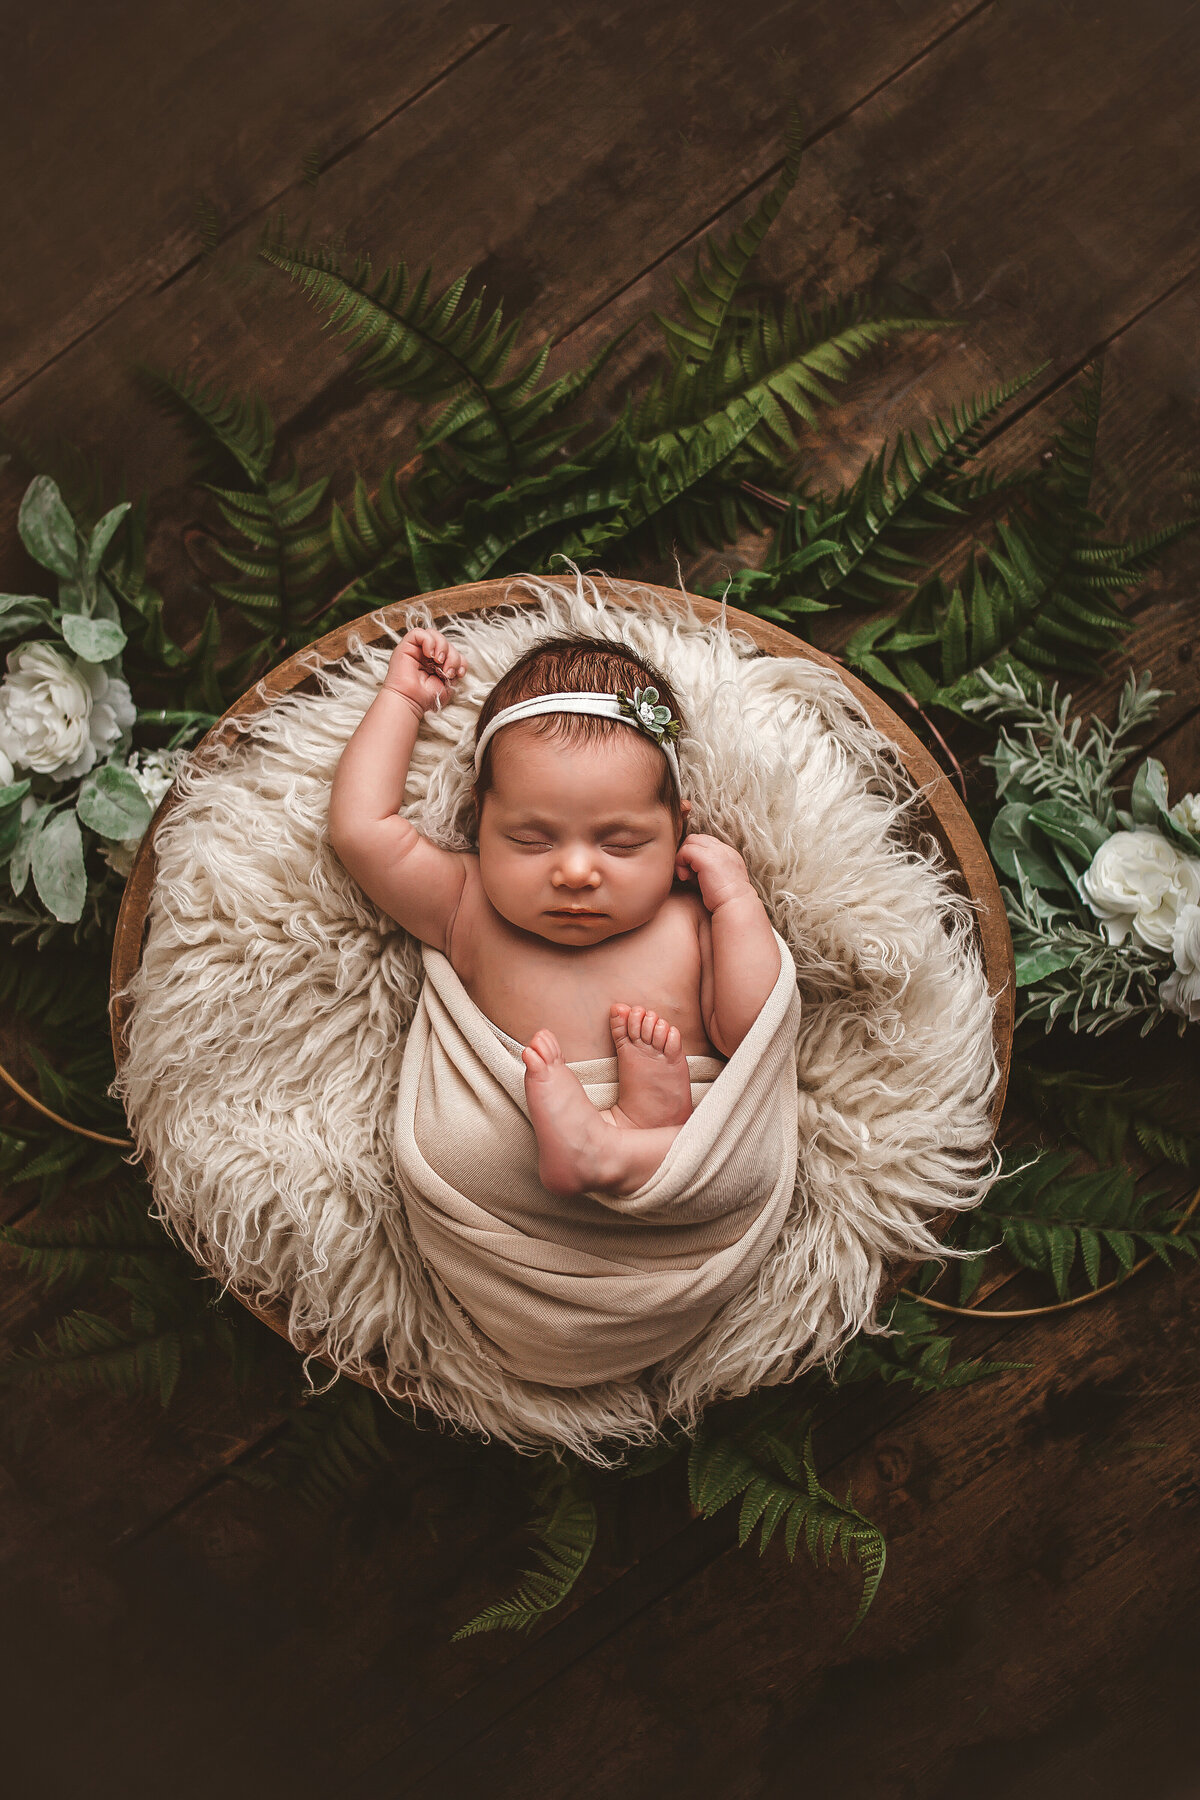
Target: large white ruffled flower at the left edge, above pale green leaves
58,714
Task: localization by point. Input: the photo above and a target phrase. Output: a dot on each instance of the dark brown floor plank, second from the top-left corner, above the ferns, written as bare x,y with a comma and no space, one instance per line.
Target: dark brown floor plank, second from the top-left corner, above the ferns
557,204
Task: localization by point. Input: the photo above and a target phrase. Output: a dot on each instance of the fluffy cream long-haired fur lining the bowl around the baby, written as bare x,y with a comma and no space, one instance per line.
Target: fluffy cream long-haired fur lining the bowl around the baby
273,1003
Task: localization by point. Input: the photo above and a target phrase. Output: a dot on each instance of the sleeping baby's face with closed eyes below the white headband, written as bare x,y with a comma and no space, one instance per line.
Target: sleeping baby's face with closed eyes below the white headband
573,841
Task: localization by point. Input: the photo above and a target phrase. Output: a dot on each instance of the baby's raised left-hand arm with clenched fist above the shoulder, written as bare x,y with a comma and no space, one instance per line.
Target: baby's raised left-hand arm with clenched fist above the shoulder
404,874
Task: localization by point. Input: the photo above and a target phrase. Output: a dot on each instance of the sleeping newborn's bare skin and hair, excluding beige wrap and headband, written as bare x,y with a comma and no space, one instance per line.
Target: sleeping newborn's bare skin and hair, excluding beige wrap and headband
571,928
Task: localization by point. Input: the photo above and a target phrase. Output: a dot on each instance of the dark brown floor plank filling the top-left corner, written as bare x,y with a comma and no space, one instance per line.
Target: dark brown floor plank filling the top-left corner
139,130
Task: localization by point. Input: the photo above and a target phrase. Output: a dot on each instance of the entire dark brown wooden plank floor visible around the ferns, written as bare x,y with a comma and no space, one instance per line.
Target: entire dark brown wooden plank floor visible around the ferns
1028,166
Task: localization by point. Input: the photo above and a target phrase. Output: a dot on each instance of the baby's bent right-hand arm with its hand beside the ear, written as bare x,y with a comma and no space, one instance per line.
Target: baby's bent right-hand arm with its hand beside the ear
746,957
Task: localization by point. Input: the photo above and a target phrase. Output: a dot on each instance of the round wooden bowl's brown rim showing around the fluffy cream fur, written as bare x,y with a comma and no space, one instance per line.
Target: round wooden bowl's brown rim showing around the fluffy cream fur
945,814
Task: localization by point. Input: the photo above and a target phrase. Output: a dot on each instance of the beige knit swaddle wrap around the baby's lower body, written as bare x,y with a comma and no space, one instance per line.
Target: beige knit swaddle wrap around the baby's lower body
577,1291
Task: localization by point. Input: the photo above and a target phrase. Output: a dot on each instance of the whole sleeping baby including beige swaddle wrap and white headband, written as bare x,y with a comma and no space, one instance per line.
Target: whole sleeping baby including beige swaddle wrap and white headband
596,1126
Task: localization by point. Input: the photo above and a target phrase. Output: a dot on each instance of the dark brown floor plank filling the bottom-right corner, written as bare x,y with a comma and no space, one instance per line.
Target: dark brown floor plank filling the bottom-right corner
739,1675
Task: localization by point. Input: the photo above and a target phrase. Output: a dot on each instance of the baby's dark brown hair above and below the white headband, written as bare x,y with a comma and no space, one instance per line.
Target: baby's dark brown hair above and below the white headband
578,665
